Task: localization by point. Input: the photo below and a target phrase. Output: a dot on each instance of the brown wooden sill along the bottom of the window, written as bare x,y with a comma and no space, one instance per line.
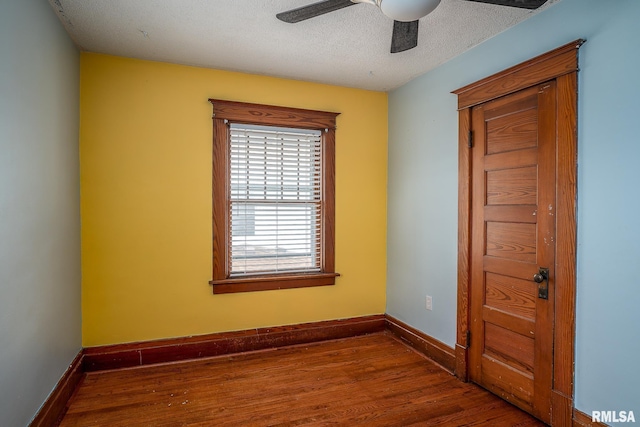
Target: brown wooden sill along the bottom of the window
269,283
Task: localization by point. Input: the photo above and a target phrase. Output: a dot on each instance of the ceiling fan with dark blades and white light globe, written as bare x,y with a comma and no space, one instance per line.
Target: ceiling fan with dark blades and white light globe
405,14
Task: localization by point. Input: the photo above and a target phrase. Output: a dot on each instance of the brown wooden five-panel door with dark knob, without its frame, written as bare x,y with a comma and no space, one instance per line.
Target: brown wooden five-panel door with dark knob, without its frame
513,229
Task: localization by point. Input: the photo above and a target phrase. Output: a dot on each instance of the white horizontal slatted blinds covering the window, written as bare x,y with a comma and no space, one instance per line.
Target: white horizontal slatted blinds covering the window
275,200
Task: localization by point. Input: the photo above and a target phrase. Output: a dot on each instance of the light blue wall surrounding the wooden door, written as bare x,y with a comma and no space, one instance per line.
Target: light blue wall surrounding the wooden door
422,230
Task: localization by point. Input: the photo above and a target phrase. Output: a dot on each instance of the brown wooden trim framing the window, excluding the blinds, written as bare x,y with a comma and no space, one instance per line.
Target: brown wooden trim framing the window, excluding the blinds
225,112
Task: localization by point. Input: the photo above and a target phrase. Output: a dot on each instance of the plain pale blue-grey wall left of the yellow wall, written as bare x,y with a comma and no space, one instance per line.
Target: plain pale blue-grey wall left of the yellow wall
40,319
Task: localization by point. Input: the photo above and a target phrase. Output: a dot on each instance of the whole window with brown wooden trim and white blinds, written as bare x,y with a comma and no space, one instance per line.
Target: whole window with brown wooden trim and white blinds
273,197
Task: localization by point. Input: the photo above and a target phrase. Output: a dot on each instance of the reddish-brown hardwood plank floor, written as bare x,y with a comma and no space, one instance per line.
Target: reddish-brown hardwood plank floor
372,380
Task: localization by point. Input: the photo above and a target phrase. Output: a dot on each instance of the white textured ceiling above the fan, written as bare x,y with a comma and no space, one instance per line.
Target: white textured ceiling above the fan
349,47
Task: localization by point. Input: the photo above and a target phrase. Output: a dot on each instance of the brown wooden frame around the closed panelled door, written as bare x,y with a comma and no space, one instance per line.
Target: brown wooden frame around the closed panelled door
561,65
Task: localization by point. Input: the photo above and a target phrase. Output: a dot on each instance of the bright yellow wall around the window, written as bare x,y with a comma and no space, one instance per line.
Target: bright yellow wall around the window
145,149
